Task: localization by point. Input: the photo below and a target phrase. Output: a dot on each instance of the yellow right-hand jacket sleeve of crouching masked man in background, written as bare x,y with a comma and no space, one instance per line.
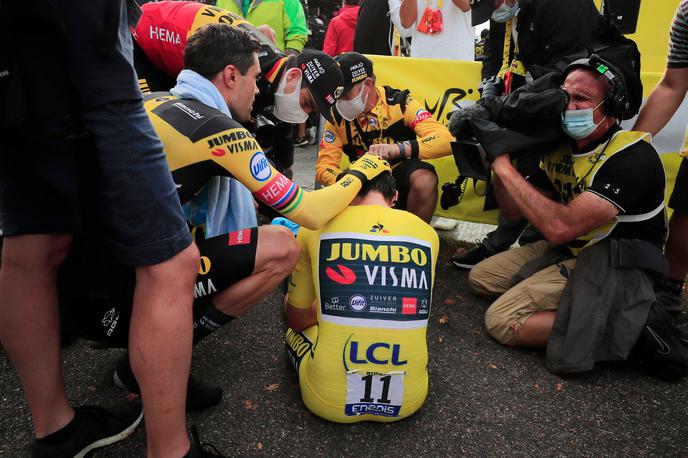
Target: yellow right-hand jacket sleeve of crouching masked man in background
432,138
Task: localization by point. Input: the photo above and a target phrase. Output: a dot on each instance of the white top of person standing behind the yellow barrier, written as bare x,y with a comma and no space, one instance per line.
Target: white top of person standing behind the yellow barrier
455,41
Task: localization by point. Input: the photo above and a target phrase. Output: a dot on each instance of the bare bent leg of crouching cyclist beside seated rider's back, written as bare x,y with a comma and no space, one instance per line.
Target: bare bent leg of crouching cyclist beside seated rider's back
276,256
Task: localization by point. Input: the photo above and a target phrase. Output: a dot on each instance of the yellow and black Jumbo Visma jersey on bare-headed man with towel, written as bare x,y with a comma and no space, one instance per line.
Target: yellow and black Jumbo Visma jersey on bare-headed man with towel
200,142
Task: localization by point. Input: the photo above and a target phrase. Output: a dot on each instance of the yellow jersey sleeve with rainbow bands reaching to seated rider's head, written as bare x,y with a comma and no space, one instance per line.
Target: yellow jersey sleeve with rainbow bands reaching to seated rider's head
241,156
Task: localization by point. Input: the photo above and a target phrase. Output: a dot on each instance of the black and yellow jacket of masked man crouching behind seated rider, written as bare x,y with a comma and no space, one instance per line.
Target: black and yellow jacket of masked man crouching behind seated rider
396,117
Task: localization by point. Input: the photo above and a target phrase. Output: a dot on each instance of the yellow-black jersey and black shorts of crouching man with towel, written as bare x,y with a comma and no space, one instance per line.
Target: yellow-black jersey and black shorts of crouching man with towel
96,292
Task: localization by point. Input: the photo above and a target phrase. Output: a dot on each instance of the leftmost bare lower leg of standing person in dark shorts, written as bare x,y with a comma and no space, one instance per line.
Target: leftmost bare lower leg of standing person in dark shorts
30,324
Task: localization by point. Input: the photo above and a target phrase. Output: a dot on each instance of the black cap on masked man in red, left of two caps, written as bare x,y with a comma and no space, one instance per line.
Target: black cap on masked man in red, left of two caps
322,77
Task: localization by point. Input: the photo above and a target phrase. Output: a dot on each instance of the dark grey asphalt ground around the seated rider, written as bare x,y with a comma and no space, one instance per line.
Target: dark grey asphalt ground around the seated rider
484,399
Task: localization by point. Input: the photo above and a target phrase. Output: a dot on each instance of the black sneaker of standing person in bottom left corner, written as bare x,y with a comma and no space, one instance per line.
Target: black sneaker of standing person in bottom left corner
92,427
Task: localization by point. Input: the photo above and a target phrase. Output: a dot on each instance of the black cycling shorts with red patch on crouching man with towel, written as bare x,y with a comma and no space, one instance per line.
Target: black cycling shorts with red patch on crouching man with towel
96,293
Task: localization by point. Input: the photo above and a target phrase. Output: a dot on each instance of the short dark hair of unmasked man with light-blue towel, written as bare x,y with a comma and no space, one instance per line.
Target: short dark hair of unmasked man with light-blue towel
214,46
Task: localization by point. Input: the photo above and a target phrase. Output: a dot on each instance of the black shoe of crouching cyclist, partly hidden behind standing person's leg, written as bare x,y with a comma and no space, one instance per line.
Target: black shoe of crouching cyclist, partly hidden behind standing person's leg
199,394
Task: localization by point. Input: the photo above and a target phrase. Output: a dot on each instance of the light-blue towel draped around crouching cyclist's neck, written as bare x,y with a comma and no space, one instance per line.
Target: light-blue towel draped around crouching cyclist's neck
229,203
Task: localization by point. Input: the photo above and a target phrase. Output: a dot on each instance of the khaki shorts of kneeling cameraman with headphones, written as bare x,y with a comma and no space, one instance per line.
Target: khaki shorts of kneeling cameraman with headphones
540,292
